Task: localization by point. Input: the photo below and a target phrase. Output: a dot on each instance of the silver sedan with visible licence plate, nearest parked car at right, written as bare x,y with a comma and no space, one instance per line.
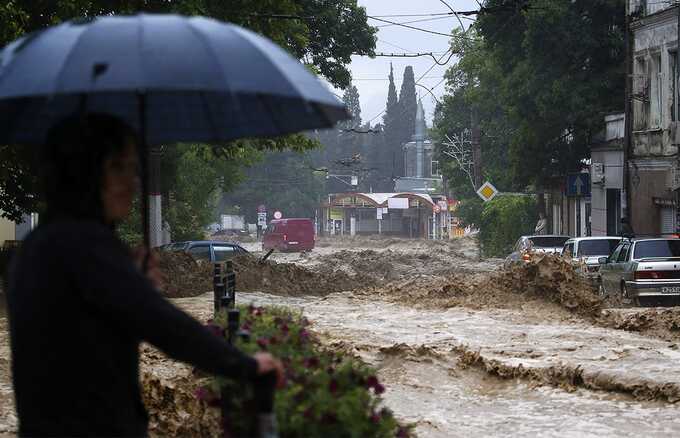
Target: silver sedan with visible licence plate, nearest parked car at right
644,270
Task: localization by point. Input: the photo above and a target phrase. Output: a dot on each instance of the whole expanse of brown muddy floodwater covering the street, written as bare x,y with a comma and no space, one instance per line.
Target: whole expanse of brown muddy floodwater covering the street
460,356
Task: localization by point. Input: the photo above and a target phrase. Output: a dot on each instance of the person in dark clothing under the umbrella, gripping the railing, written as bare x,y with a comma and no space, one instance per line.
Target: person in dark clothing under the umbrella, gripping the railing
80,303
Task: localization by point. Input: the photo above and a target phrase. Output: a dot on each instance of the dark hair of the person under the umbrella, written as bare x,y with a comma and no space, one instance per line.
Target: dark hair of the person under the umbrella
72,161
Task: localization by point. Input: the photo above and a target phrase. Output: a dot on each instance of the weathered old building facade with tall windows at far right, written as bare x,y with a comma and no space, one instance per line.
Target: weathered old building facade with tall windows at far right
653,168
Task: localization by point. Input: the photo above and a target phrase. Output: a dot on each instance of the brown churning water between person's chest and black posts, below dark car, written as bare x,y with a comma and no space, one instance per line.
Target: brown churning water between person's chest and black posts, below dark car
183,275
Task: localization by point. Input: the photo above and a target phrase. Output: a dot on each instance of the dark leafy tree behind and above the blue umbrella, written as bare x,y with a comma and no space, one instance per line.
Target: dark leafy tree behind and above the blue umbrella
324,36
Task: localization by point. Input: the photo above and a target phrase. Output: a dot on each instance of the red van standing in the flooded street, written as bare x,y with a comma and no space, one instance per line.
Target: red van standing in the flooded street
289,235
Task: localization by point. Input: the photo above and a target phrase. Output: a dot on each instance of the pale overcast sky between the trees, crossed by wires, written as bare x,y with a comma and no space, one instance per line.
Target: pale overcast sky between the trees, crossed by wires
370,75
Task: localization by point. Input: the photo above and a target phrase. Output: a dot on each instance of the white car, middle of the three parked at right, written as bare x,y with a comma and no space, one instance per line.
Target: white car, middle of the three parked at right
585,252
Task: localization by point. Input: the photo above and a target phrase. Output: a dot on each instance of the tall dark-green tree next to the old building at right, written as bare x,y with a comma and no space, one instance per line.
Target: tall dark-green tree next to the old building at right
555,102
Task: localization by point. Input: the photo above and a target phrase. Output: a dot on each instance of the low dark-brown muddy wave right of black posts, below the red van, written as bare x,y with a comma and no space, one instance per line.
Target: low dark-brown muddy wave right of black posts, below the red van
291,279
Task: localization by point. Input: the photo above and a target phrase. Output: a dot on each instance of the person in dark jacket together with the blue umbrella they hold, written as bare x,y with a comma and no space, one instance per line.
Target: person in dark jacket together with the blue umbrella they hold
95,95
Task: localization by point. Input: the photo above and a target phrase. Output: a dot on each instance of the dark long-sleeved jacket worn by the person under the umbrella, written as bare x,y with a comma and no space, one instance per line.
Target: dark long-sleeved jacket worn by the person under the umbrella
78,310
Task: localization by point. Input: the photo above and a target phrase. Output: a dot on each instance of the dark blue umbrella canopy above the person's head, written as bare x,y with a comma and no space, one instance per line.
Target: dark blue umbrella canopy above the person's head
174,78
